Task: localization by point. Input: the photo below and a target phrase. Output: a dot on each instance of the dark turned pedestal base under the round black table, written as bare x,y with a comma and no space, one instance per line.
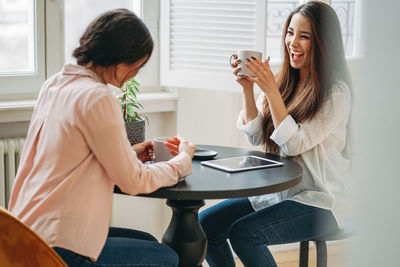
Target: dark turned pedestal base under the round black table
184,233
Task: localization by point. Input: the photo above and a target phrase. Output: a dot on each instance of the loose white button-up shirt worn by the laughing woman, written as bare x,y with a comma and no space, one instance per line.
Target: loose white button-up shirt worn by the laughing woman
322,149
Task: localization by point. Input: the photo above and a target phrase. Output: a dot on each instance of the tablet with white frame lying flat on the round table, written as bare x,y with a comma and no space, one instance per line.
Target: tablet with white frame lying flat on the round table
241,163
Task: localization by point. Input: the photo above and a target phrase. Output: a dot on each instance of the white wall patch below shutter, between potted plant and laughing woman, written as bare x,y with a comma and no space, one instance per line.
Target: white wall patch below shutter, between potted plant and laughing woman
208,117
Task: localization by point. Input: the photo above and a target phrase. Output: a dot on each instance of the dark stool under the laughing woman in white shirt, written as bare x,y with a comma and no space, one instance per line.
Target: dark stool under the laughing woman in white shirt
320,245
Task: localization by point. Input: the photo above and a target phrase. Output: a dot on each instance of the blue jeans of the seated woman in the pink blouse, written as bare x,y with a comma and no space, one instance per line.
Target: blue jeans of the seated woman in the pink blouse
125,247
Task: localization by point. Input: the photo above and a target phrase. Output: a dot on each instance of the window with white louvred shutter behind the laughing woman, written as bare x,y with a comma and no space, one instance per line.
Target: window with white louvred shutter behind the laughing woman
198,37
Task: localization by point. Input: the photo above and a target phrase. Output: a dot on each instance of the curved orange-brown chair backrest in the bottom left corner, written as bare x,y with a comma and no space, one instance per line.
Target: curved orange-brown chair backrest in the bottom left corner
20,246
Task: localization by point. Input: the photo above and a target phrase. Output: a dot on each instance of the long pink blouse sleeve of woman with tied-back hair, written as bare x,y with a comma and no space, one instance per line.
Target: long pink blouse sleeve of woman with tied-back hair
106,136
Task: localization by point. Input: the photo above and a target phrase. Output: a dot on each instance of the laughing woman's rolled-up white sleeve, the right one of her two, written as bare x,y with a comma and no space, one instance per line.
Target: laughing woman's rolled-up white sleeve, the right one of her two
295,138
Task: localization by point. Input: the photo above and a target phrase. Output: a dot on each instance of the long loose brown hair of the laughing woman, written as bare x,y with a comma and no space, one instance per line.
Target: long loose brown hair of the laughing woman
327,63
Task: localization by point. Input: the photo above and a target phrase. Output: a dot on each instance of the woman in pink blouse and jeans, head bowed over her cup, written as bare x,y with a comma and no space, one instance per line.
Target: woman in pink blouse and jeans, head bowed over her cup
77,150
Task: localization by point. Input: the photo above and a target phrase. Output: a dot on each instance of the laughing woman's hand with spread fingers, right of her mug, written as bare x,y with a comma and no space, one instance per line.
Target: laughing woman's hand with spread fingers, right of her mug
264,77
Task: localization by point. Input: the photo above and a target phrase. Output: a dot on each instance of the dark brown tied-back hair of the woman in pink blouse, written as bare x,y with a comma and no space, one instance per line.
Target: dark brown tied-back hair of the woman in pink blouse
117,36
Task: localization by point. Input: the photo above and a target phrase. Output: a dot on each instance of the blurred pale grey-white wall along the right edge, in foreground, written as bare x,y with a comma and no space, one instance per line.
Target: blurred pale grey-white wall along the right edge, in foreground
376,141
